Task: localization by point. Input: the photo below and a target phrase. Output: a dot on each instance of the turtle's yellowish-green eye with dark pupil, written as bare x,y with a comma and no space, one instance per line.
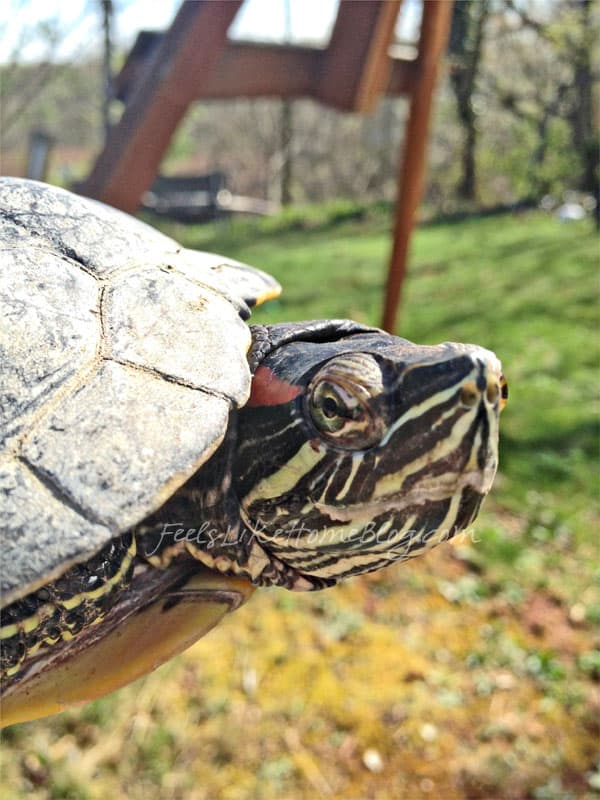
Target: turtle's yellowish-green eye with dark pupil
341,415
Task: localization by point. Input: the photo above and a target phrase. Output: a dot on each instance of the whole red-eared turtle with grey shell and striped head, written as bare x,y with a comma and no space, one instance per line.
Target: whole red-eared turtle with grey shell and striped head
160,458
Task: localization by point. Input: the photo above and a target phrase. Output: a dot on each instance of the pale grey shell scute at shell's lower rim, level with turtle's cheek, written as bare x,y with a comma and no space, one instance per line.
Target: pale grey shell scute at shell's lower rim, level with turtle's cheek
151,435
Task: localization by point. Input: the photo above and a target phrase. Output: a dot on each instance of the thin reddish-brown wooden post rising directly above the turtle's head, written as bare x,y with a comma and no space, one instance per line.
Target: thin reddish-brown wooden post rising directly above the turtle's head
435,28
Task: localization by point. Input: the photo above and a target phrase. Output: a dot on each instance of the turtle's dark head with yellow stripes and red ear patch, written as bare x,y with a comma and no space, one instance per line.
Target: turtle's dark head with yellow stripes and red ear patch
358,448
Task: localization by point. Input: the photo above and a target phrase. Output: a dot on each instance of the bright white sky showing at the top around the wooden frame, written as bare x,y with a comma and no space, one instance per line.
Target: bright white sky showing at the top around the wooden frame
79,23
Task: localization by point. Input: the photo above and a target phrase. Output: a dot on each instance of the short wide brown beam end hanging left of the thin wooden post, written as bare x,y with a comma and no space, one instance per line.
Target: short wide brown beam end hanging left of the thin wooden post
356,65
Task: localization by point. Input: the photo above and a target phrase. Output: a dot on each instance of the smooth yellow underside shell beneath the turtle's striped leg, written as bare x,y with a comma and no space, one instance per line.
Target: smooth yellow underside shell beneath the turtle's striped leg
124,647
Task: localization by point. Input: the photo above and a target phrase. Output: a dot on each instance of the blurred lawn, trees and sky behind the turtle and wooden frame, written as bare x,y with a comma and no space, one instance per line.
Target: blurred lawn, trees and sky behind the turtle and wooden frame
474,672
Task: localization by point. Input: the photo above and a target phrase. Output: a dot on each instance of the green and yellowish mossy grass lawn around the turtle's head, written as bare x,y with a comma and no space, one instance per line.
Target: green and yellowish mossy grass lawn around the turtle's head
472,673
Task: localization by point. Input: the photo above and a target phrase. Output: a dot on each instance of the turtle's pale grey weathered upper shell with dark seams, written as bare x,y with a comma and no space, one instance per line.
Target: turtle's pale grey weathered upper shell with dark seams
121,357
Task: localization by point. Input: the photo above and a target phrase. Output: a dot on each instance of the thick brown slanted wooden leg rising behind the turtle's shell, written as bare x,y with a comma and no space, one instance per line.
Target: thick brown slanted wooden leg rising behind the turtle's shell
188,52
